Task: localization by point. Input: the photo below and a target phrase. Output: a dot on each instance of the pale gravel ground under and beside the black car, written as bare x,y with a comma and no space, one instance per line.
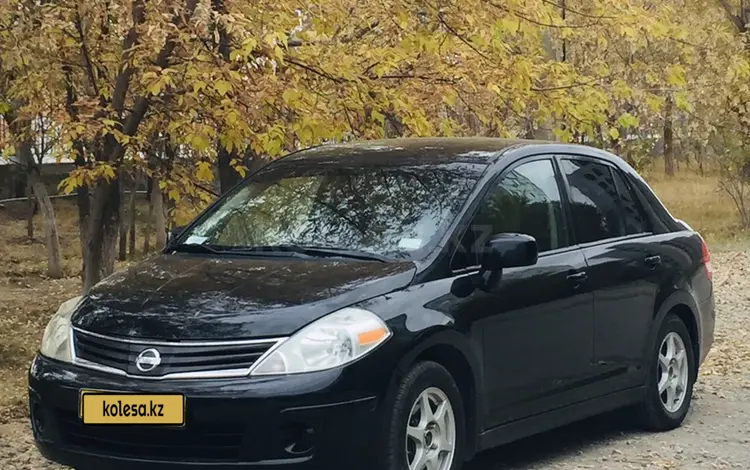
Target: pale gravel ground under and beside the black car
716,434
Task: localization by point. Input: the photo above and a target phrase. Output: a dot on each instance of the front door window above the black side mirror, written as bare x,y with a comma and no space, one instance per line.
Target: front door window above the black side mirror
525,200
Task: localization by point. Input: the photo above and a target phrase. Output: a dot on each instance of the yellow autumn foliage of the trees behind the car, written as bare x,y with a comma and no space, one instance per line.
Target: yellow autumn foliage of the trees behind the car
188,92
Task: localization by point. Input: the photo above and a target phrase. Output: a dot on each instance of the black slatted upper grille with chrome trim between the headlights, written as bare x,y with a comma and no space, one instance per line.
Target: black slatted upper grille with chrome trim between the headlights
175,358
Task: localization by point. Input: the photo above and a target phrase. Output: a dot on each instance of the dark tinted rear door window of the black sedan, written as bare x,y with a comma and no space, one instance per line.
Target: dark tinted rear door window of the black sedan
594,200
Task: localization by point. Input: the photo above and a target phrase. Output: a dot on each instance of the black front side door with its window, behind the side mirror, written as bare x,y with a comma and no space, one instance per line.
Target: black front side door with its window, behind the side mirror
535,328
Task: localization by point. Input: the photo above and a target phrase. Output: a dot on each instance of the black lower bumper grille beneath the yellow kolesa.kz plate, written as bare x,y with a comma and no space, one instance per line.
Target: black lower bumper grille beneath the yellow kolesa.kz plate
214,441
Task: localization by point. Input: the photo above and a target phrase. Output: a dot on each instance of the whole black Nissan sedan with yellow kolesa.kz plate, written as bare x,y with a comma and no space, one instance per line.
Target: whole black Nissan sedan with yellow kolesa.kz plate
399,304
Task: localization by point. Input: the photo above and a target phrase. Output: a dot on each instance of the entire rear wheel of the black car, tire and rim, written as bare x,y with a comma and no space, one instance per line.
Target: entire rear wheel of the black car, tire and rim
669,387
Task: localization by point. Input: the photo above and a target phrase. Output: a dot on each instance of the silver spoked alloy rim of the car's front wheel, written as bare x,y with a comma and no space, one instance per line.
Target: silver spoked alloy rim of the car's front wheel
431,432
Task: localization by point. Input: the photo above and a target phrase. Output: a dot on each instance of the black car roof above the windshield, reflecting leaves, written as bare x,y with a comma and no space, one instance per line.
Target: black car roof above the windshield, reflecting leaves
424,150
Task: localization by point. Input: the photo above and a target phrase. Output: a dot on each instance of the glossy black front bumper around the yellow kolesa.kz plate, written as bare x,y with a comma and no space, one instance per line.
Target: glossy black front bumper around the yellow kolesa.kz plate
324,420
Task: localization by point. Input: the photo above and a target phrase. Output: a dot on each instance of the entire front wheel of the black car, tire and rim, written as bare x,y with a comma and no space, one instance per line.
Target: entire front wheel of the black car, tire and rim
432,381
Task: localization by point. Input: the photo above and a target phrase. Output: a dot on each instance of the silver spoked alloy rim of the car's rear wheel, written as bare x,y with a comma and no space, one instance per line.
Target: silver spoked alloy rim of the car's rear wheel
673,372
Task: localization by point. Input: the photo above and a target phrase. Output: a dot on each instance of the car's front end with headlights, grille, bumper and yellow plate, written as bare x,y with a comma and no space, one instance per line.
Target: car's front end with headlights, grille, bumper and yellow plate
243,404
